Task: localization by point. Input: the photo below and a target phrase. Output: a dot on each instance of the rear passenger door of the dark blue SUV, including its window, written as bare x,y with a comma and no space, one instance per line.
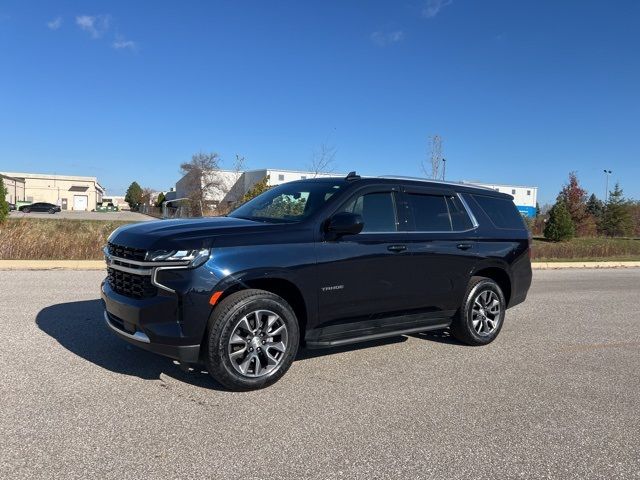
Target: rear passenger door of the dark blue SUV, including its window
441,237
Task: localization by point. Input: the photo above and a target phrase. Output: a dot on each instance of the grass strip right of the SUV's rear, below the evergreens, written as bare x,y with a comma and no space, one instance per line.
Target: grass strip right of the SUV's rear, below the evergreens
586,249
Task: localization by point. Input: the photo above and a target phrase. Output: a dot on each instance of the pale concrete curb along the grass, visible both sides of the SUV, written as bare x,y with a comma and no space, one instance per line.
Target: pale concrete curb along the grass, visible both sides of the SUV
100,265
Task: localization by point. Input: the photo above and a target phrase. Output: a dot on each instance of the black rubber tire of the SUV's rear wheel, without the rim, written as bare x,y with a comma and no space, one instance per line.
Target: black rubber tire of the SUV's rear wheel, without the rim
462,327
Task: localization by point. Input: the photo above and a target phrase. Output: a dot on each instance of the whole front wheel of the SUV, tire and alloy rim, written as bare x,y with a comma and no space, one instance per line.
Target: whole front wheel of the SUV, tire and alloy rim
252,340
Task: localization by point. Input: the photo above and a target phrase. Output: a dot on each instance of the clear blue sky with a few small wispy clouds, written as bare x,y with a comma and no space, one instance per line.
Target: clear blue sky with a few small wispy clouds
521,91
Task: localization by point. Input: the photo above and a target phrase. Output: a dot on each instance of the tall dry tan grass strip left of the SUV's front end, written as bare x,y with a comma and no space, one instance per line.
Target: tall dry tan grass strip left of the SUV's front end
47,239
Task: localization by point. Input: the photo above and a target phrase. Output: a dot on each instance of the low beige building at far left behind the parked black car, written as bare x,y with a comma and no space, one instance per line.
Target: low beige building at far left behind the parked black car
69,192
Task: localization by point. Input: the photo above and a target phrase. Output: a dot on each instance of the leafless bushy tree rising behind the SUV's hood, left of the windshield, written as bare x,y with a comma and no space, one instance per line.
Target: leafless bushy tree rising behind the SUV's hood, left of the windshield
202,180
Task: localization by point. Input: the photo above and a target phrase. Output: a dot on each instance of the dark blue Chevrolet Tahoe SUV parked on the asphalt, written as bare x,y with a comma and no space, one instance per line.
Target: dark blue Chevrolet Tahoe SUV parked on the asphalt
320,262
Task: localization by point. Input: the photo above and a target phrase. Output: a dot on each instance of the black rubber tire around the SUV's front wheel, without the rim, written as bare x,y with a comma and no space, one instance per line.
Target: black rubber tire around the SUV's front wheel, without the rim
222,323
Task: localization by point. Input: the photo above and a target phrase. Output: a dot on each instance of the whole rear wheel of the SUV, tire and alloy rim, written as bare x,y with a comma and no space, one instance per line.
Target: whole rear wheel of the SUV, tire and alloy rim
481,315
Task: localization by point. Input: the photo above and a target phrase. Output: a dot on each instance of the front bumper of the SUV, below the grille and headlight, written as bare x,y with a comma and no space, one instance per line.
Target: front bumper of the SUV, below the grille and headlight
152,324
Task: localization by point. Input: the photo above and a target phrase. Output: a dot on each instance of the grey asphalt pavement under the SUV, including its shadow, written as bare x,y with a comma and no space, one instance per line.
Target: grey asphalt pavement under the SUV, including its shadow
555,396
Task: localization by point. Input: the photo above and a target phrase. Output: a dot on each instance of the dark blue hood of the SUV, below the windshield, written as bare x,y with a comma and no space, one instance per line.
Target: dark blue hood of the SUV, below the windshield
190,233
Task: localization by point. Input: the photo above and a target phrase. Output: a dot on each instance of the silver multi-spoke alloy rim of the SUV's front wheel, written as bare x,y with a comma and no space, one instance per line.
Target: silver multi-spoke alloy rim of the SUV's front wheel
258,343
